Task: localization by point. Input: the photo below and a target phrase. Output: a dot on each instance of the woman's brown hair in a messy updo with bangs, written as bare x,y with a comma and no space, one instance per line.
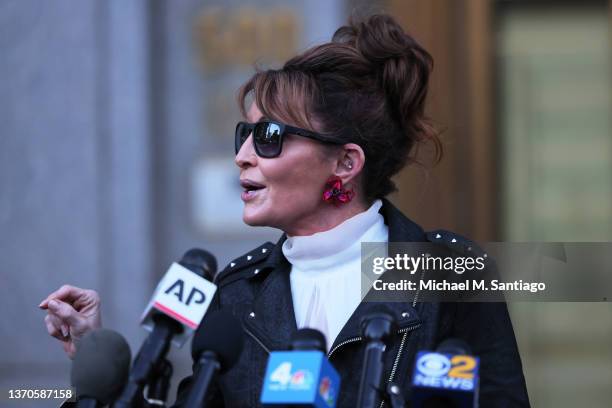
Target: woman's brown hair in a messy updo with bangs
367,86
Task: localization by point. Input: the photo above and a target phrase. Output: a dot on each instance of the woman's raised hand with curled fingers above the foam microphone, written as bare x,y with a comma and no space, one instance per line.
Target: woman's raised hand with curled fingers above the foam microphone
71,312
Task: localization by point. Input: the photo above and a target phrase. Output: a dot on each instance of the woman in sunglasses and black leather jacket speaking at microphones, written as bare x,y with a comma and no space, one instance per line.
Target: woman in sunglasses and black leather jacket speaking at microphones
322,138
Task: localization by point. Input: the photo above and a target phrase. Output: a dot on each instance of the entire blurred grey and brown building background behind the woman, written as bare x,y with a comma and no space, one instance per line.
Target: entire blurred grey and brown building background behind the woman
116,153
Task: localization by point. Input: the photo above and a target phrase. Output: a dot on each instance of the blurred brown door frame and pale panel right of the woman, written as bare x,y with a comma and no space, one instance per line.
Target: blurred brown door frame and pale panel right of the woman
523,90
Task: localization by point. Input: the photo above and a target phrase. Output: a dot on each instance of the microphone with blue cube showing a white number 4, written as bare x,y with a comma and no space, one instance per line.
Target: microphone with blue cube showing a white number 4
302,376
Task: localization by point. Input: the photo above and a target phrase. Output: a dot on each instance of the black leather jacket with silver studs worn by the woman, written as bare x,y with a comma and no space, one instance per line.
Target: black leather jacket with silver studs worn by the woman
256,289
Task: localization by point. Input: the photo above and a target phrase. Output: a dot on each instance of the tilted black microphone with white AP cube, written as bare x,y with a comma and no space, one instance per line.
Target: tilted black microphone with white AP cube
177,307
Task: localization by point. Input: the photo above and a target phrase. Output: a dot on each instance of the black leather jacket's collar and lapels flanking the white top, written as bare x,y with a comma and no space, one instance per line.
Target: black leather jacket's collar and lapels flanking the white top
273,317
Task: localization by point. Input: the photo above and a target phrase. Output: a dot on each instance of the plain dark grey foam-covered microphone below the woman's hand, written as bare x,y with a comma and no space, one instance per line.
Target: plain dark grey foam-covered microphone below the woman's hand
100,368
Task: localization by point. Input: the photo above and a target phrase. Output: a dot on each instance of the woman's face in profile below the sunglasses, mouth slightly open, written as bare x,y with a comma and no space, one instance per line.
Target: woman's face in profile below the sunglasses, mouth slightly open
284,192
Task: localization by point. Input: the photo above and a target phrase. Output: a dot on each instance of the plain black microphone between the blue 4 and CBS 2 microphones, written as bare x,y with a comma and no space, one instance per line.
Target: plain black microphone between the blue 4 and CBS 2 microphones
376,328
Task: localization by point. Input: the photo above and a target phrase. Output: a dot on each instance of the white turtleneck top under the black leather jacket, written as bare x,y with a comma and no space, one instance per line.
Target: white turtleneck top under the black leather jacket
326,271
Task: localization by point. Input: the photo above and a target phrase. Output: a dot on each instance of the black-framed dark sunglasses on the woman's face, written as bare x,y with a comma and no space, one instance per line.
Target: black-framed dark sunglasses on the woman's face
268,137
